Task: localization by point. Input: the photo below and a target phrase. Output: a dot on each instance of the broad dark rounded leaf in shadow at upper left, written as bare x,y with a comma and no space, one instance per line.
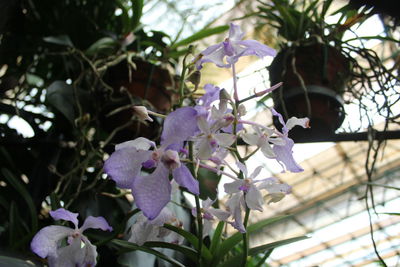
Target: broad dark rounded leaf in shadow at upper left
61,96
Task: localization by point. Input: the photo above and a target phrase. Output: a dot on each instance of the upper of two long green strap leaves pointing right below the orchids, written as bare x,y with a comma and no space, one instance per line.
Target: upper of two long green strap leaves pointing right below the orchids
233,240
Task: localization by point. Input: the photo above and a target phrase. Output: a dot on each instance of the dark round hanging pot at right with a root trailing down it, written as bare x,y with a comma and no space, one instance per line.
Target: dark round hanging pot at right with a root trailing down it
313,79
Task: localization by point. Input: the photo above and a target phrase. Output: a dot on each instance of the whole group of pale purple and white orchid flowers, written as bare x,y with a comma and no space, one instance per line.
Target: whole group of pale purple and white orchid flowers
193,137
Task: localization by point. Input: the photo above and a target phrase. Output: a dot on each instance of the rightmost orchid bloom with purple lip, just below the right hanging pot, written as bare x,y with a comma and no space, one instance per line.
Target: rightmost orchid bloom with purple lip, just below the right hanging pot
284,152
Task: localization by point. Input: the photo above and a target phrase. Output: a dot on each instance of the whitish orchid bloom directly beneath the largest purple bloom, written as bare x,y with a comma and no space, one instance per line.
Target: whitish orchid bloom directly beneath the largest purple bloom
144,230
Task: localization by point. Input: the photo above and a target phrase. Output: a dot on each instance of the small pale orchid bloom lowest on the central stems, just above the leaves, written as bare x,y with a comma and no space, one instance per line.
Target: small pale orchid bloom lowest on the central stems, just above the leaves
208,213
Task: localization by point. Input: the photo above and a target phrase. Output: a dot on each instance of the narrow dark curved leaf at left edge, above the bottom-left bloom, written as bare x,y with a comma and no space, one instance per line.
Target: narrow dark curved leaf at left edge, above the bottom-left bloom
21,189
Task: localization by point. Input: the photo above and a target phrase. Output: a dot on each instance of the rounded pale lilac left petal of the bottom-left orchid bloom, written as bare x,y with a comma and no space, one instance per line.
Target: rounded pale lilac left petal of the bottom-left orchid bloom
45,242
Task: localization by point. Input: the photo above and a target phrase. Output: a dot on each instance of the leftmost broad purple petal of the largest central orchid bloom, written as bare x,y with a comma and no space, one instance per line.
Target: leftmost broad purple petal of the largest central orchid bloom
125,164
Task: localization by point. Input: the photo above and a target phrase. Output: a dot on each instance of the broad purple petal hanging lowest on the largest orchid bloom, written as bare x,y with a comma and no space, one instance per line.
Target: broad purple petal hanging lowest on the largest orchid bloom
152,192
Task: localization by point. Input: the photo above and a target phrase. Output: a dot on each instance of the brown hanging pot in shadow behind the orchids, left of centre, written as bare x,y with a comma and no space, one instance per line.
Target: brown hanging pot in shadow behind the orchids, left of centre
145,82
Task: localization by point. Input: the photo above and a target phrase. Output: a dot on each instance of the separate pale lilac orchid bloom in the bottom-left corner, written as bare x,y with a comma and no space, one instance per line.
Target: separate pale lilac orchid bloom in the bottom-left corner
78,251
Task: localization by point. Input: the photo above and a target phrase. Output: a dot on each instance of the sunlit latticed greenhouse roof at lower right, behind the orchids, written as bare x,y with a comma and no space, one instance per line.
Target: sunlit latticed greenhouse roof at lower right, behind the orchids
328,204
